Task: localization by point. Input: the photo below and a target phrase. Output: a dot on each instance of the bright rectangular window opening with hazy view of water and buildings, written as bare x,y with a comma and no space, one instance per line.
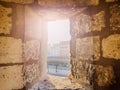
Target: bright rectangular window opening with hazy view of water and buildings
58,59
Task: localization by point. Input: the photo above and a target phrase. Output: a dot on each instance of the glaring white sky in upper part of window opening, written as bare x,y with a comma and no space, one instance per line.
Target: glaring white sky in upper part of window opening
58,30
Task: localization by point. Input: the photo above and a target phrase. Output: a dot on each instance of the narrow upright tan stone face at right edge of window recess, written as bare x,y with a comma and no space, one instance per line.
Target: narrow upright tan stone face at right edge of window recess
96,47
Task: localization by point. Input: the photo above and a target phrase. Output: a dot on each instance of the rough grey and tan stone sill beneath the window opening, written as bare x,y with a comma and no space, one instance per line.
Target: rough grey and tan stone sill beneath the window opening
56,82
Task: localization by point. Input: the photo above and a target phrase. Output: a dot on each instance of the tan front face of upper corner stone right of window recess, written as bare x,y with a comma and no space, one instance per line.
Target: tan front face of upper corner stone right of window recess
98,21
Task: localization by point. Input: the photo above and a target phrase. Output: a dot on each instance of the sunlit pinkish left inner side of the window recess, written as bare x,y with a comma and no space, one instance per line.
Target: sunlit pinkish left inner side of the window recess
35,64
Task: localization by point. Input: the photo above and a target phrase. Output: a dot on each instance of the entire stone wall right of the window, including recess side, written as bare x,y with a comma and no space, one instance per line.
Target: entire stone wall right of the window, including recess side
95,51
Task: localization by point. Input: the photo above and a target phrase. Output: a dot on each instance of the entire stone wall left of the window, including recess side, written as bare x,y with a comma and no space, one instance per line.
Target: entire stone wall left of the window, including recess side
22,61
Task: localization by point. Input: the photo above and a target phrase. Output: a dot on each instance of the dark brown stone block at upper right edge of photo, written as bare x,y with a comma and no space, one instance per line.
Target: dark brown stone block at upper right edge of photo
115,17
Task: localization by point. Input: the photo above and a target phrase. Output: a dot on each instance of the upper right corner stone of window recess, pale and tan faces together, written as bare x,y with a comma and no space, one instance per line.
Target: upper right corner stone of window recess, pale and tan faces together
84,23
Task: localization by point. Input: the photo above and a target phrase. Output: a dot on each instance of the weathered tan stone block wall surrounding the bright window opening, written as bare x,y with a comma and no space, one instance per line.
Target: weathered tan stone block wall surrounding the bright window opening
94,46
